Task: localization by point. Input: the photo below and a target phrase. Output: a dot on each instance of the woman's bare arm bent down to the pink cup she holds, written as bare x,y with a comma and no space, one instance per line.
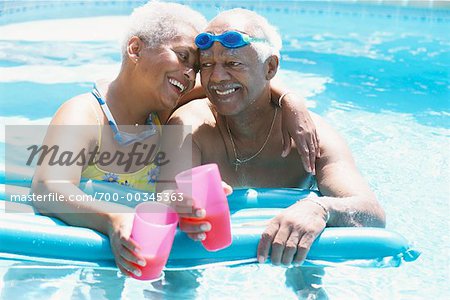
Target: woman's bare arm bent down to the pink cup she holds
72,130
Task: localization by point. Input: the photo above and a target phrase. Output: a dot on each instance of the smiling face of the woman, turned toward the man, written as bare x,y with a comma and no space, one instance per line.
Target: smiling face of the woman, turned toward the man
171,68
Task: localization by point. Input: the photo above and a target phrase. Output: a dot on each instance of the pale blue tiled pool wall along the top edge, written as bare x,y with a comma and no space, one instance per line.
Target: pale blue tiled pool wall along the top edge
405,11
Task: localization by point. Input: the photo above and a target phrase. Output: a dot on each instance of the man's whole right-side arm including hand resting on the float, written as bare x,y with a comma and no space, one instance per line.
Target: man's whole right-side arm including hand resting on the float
347,201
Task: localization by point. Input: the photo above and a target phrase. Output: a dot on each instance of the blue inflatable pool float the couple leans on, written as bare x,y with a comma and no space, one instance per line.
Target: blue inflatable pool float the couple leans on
28,236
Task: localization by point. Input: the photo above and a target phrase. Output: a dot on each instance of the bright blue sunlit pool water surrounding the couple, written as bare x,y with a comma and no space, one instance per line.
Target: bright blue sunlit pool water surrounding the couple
378,74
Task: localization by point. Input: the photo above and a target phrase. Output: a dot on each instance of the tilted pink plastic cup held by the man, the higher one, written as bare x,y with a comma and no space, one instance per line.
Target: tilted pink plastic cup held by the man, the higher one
204,185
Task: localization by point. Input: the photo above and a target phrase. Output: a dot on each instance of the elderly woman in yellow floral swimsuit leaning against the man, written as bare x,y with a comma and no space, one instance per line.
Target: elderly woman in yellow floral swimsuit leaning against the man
158,71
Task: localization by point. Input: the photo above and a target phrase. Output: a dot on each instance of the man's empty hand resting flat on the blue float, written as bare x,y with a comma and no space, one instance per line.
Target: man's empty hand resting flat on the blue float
290,235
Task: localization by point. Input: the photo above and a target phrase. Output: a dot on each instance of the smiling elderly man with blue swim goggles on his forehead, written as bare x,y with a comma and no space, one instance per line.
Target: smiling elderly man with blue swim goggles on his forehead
240,130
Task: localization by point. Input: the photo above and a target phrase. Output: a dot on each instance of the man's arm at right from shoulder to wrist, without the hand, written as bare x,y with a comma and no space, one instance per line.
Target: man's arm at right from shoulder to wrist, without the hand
347,196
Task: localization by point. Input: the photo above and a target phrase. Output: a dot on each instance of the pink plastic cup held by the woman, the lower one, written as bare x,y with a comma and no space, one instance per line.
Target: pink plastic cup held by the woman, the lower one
154,228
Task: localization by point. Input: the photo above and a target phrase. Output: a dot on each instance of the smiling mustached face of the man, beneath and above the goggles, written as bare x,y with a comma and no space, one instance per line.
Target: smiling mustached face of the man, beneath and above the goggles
232,78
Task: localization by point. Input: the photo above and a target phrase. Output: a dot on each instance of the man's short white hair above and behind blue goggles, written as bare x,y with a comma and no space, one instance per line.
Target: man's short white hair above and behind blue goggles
258,27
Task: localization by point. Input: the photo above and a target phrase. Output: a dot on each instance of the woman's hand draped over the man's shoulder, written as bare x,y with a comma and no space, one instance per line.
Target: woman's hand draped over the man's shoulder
297,124
